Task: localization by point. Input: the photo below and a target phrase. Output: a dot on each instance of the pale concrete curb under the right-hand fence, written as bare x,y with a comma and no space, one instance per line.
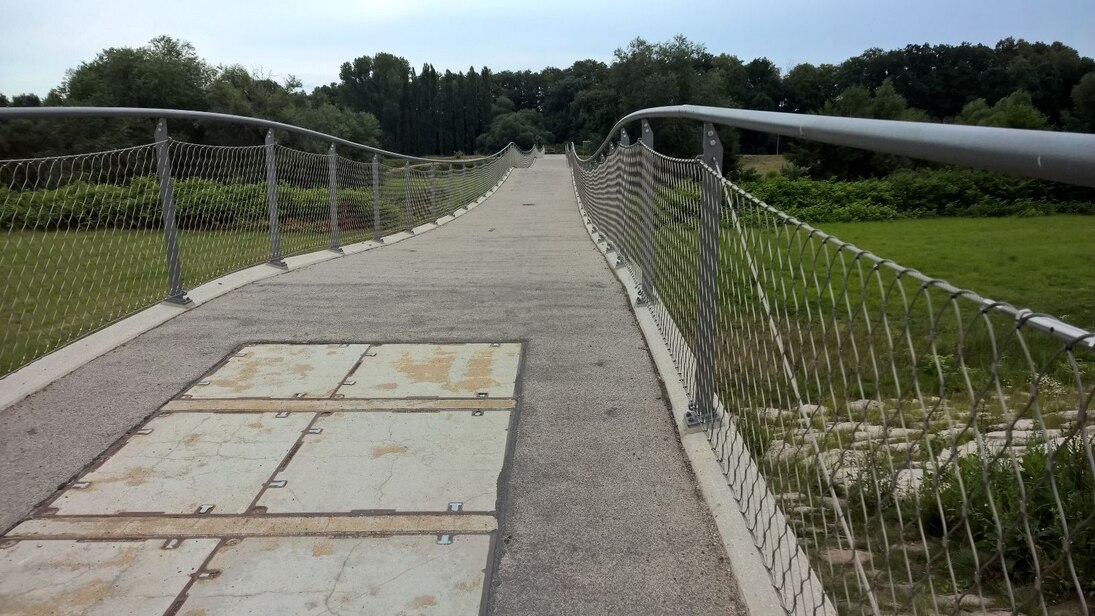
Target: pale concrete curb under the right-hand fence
755,583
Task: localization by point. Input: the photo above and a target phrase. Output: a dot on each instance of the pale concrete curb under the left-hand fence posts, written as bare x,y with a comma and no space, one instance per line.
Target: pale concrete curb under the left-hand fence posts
43,371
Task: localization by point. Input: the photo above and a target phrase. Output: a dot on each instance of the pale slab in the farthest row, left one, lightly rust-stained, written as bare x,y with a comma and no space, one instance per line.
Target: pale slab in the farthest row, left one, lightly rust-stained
281,371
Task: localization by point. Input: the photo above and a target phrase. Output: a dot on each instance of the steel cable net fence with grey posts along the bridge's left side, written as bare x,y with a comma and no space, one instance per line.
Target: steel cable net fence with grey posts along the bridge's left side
90,239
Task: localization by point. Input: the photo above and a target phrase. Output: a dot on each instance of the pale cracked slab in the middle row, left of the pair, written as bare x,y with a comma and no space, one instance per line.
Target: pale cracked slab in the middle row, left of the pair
188,461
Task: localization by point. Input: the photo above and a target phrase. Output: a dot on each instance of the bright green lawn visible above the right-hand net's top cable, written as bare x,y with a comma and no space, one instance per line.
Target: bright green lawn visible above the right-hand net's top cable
1046,264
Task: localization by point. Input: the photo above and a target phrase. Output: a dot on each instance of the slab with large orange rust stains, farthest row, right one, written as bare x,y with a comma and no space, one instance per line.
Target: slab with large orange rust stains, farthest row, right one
442,371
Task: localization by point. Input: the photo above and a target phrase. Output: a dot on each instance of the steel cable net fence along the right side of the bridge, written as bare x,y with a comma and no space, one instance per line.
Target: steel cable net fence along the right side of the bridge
897,446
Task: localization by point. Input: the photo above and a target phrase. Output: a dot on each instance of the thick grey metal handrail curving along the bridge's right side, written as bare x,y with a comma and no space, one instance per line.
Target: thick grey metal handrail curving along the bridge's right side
1062,157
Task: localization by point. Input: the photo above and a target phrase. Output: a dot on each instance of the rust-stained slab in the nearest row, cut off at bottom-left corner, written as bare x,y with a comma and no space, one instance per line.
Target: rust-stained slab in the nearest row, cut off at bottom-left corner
97,579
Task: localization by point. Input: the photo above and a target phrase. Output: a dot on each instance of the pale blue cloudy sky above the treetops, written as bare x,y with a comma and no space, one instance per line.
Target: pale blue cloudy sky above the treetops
41,40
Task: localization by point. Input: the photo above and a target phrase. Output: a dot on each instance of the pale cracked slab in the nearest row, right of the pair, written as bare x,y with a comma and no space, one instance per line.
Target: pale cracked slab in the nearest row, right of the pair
315,576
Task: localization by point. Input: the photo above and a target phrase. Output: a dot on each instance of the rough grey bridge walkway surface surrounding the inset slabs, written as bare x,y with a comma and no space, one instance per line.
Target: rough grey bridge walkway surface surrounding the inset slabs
600,515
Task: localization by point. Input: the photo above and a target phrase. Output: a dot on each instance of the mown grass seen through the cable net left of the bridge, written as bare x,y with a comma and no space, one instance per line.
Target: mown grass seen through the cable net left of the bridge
62,285
